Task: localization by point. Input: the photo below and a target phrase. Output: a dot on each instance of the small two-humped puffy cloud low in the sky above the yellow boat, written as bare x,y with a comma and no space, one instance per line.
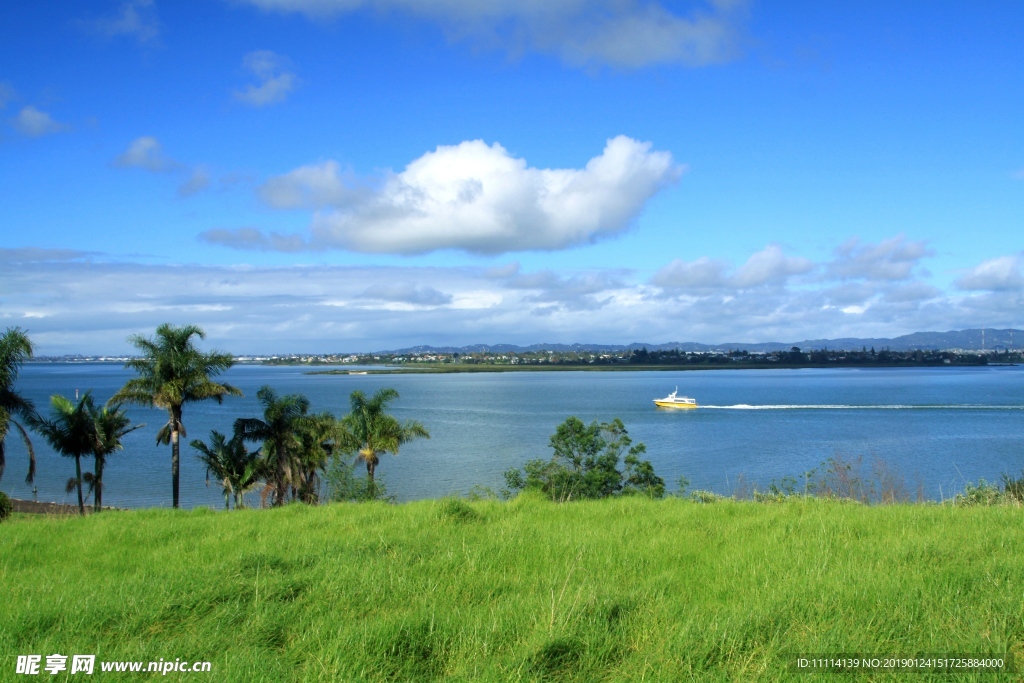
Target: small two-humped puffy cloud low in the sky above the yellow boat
767,268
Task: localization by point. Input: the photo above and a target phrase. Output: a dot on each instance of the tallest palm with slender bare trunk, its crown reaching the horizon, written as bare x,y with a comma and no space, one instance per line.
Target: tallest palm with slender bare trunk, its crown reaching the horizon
172,373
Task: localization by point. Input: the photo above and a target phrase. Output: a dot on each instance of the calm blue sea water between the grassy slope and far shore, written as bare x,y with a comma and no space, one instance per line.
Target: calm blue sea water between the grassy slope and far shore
940,428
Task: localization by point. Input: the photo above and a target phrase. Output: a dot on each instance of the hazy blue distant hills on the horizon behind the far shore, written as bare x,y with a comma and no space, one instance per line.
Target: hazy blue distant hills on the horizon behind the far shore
972,340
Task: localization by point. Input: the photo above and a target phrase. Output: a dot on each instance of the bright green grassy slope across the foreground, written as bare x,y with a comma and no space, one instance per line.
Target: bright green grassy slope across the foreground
612,590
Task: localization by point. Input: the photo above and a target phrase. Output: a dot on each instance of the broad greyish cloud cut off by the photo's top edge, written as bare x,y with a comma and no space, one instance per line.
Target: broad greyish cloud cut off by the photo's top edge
620,33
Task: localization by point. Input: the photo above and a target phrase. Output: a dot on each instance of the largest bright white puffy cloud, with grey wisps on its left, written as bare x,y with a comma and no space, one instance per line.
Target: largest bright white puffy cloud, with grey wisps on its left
473,197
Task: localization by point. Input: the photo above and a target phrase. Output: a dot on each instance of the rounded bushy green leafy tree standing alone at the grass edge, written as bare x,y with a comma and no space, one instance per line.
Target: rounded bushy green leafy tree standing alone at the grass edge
585,464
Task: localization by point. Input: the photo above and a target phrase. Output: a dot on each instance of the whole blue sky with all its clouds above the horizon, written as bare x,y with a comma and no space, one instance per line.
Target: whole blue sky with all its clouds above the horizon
355,176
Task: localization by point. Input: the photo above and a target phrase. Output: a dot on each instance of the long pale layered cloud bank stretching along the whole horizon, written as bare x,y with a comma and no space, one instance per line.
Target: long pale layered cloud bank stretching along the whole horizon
79,303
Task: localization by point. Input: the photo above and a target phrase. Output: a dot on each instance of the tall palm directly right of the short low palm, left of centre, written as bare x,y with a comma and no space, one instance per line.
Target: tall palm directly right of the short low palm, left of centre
281,434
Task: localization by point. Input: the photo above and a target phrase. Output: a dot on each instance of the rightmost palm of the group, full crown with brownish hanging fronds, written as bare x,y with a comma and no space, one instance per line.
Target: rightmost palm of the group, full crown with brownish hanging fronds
370,432
